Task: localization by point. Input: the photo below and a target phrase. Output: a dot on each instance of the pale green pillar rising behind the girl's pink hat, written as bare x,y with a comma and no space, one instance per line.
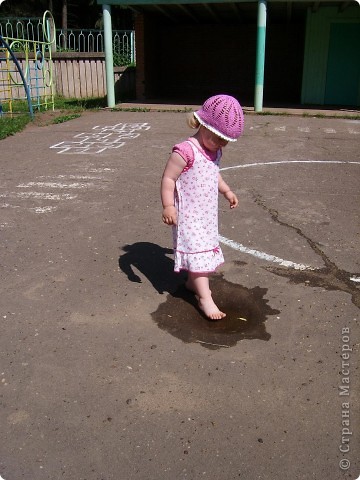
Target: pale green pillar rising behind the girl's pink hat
260,56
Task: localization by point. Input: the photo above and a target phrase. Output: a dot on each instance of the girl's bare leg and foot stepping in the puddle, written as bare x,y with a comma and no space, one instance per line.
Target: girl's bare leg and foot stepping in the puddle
199,283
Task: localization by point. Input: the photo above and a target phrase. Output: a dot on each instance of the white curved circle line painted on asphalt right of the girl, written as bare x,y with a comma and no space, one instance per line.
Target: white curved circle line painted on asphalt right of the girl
266,256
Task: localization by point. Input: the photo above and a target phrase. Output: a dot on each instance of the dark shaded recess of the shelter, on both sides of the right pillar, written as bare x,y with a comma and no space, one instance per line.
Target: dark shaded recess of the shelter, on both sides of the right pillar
193,61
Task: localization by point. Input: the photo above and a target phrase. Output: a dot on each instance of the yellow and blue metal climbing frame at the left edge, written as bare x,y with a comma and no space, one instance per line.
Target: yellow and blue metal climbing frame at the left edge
26,69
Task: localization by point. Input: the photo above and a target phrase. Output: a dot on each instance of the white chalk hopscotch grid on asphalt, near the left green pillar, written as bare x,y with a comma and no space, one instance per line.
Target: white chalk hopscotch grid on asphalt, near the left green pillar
103,138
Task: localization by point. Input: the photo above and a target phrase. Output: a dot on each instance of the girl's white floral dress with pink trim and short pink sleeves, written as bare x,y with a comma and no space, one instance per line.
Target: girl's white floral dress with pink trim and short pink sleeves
196,242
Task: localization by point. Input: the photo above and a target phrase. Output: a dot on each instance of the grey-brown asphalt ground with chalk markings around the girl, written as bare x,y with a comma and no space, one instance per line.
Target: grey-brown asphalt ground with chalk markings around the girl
109,371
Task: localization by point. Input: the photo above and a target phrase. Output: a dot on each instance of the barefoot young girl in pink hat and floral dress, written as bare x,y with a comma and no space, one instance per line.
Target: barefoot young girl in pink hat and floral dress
189,194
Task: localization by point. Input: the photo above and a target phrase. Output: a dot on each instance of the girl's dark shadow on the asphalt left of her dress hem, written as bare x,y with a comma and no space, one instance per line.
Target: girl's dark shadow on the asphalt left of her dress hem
152,261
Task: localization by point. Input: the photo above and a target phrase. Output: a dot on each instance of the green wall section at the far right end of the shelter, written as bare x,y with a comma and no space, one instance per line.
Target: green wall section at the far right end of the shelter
332,72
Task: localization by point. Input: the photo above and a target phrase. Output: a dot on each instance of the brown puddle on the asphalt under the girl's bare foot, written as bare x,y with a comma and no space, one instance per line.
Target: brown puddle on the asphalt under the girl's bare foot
246,312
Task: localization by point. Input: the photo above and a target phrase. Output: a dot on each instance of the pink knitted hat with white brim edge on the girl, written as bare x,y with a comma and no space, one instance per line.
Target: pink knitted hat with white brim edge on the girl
223,116
